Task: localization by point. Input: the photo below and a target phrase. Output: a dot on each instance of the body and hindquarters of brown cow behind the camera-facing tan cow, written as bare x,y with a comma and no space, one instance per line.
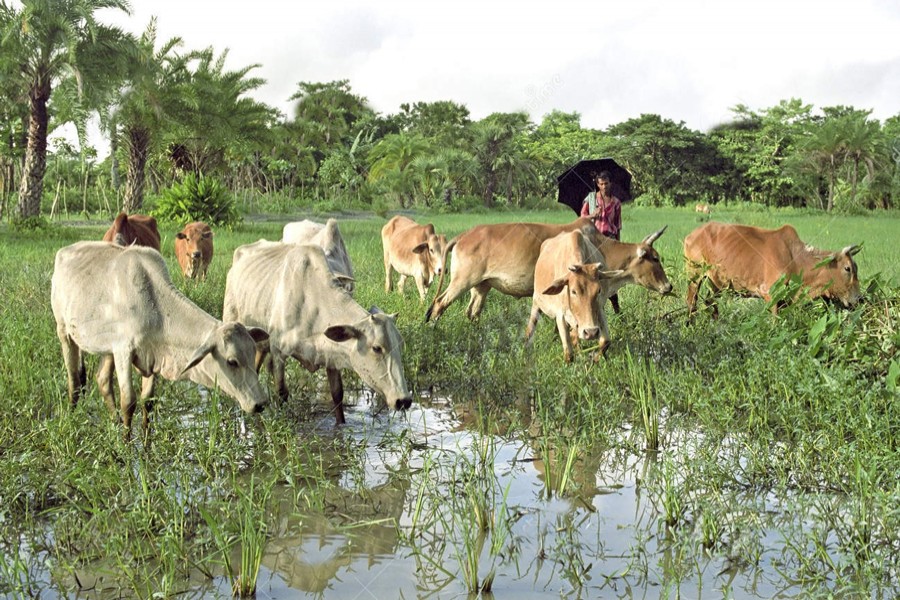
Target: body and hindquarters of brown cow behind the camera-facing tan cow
500,256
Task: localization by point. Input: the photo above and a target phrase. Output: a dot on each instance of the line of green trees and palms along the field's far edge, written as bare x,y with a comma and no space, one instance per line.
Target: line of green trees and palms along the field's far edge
168,112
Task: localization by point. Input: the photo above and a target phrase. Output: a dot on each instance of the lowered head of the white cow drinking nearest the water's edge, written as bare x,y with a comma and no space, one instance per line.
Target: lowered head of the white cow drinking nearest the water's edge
373,347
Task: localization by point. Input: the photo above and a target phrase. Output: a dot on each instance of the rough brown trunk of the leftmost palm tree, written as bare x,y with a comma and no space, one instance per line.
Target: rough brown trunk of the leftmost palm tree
31,188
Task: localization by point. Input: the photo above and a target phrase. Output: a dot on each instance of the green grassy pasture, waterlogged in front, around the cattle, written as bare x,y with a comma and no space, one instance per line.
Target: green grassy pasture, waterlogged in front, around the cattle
773,439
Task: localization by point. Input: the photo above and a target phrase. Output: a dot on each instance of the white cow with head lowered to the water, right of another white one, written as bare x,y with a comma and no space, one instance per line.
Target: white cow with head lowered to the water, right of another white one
290,290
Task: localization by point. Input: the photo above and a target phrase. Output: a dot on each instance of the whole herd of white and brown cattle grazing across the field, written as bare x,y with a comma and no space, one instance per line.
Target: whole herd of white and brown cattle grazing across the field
294,298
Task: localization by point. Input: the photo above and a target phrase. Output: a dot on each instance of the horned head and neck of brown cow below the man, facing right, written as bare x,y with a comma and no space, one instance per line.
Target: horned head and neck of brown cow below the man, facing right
640,262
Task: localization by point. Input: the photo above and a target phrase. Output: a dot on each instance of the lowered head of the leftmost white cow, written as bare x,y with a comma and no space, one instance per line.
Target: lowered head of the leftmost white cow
226,359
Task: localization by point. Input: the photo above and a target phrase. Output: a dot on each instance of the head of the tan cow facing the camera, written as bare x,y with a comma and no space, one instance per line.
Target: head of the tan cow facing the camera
583,283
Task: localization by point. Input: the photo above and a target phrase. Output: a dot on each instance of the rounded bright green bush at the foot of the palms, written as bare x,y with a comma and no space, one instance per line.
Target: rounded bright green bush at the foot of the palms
197,198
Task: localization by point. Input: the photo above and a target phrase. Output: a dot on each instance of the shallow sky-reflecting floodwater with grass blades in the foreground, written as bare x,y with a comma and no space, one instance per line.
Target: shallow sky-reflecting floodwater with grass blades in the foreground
426,504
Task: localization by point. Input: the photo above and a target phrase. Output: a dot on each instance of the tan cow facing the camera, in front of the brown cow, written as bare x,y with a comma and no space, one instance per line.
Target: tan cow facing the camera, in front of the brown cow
571,289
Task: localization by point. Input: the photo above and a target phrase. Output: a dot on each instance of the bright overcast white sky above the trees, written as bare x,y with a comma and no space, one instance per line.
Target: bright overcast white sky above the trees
685,60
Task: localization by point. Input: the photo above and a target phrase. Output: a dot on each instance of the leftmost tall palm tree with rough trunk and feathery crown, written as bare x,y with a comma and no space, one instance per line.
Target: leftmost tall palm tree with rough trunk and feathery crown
50,39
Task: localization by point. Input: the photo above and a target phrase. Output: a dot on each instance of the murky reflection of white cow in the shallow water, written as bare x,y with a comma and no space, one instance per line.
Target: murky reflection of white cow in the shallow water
309,550
